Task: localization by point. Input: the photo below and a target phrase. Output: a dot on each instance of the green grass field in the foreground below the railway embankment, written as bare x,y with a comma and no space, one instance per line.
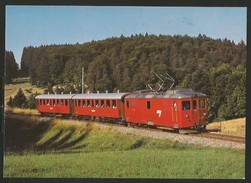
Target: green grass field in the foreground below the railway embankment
61,148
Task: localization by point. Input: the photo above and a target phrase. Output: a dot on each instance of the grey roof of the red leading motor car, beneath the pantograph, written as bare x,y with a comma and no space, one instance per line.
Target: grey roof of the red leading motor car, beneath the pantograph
176,93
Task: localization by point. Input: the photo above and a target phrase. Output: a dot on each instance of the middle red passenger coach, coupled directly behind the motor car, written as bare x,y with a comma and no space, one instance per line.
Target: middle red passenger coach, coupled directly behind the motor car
105,105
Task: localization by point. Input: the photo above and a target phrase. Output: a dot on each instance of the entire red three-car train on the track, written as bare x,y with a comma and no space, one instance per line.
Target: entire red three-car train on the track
177,109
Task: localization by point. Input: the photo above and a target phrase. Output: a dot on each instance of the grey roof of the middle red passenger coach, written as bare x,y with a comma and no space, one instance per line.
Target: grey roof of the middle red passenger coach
100,96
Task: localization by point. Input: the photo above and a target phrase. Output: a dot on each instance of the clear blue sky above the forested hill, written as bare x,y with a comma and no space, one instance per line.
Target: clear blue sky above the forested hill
46,25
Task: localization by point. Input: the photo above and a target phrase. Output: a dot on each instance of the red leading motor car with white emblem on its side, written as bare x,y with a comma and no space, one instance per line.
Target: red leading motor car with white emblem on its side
179,109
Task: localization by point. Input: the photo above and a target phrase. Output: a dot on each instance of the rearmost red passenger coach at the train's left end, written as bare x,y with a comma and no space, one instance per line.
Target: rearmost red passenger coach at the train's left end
54,103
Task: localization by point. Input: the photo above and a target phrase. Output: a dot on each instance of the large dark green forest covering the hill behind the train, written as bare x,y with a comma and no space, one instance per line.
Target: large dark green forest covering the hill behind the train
216,67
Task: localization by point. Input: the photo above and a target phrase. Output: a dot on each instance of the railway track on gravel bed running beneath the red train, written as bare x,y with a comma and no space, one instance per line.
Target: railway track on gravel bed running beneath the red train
206,134
